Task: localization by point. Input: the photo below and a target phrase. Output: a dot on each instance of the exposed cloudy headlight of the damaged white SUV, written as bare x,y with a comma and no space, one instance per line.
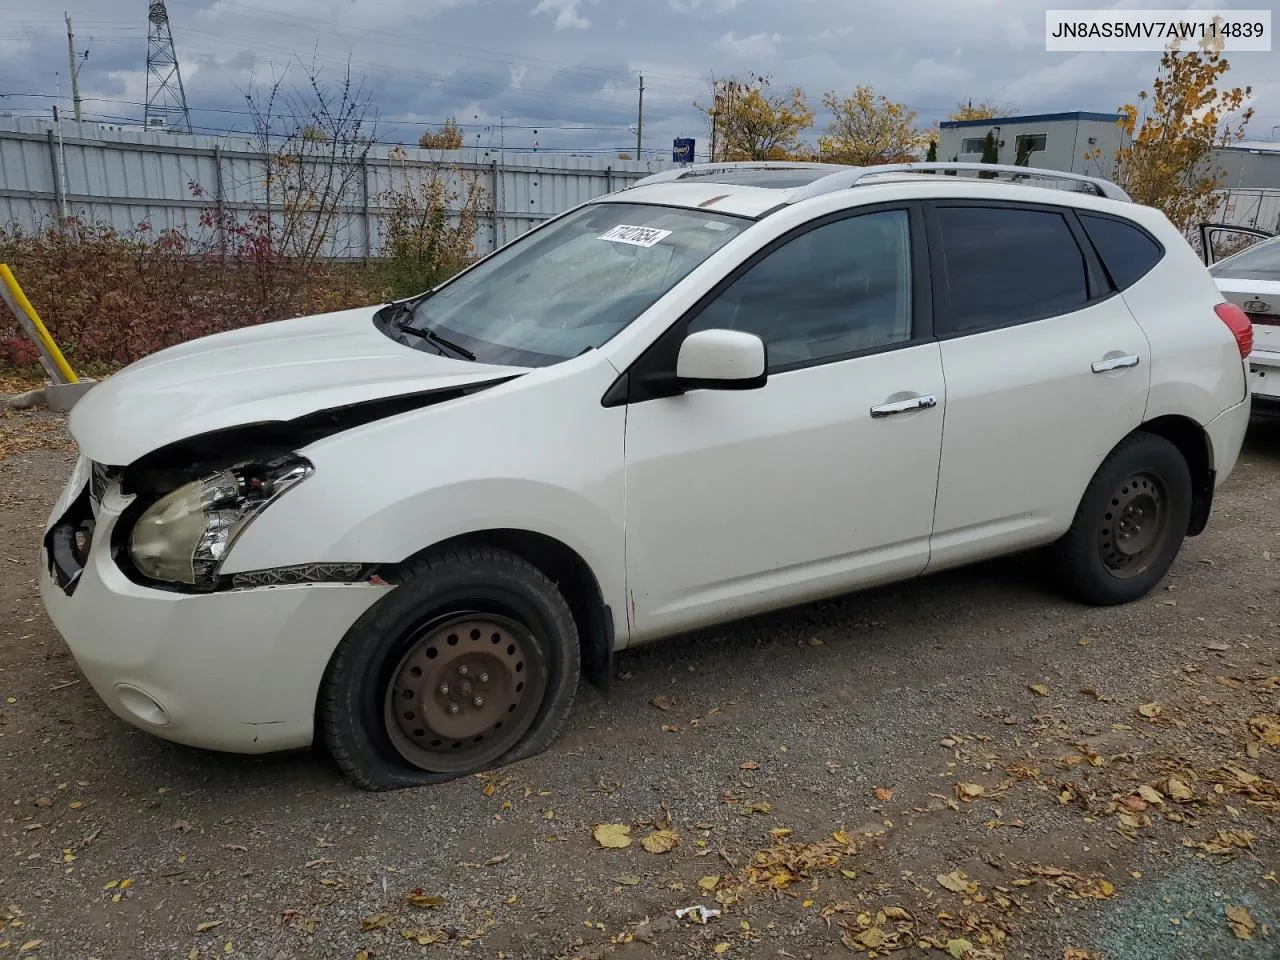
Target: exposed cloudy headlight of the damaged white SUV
184,537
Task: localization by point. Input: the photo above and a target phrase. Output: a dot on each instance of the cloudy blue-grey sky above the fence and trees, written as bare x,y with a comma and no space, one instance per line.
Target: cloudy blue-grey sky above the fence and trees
565,72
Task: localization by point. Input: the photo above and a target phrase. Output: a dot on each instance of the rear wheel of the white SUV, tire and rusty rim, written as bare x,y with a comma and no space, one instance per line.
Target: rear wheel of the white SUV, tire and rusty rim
1130,525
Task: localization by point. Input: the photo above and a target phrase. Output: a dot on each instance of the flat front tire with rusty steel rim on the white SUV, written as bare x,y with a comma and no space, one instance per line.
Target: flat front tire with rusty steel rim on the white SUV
473,662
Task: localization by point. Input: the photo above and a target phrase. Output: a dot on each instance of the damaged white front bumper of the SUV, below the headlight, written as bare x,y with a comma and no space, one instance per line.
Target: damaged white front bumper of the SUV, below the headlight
235,671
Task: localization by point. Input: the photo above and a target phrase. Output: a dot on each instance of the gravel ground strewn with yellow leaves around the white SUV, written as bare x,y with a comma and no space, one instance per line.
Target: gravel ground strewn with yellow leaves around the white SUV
943,769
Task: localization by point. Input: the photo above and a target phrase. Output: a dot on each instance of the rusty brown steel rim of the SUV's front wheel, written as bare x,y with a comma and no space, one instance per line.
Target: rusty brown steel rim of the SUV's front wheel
468,689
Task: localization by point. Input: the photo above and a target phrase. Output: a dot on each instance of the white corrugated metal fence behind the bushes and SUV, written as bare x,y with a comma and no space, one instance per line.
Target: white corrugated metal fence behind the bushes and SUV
126,179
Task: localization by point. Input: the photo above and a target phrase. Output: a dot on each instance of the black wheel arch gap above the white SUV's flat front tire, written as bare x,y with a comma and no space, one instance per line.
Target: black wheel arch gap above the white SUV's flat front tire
565,568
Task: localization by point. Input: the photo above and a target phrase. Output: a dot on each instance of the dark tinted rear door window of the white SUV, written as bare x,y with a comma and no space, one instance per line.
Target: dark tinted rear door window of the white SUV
1005,267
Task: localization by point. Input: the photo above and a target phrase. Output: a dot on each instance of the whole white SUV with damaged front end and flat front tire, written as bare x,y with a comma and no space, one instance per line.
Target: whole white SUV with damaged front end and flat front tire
406,531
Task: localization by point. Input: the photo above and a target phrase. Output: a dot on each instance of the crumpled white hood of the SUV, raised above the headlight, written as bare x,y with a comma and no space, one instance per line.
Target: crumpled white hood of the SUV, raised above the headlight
268,373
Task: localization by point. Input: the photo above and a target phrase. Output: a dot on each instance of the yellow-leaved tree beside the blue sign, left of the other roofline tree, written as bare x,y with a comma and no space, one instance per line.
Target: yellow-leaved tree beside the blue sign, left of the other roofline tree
751,121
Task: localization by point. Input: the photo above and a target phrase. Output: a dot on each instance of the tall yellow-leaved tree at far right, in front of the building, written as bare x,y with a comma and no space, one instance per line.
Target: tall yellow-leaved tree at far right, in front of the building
1167,161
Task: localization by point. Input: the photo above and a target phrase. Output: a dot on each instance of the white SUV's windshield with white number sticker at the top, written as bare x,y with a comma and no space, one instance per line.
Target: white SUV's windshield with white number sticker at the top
573,285
